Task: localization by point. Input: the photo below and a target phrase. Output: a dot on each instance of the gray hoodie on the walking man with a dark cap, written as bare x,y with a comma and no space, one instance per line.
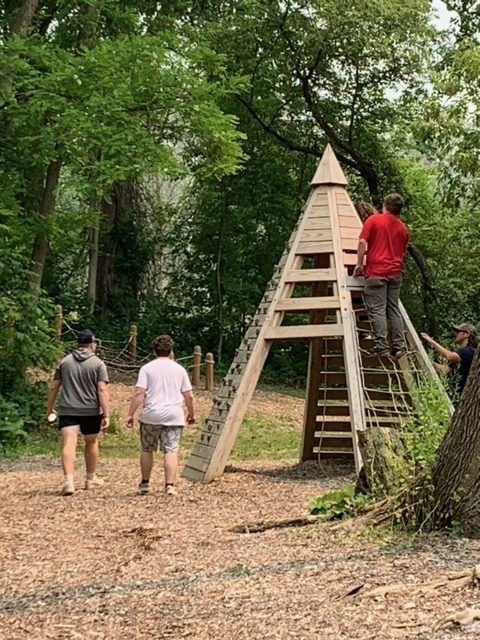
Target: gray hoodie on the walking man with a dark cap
80,372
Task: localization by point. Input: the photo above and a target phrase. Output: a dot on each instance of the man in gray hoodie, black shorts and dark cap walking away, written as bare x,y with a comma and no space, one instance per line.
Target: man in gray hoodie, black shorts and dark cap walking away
83,407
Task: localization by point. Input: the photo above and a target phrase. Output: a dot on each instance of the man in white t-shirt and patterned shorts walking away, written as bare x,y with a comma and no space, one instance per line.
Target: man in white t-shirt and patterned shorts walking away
162,387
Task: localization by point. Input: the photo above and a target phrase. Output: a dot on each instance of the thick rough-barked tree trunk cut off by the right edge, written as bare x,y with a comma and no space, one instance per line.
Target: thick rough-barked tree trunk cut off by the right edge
456,475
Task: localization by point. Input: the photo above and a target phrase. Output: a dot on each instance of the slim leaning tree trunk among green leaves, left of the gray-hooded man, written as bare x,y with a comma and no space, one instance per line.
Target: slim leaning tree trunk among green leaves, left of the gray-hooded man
40,243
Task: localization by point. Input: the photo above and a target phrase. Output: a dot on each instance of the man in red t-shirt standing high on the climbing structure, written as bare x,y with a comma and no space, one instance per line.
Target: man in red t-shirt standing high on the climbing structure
384,239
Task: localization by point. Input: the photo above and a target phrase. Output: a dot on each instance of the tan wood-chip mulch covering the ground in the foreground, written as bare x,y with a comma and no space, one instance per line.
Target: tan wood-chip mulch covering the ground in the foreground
109,564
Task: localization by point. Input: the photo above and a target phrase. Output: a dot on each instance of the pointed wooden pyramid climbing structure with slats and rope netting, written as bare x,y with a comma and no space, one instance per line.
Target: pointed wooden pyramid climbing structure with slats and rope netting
348,391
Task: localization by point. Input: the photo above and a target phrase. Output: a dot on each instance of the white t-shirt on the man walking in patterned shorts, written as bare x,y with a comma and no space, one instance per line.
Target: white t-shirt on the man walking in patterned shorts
164,382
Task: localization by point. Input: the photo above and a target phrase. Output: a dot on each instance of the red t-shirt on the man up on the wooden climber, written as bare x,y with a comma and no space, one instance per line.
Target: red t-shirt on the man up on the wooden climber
387,240
